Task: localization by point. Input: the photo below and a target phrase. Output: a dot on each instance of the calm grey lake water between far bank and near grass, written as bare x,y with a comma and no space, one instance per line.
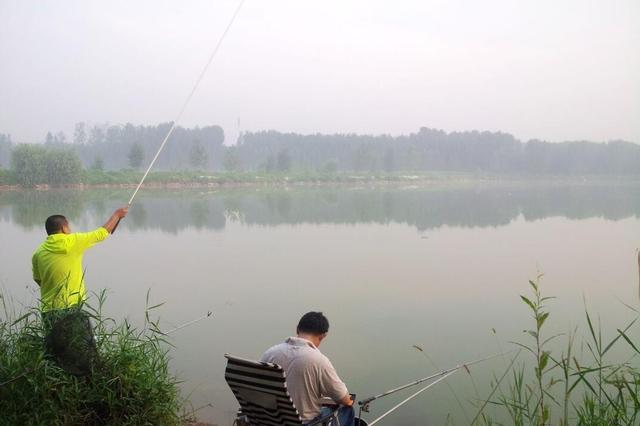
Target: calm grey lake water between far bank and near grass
390,267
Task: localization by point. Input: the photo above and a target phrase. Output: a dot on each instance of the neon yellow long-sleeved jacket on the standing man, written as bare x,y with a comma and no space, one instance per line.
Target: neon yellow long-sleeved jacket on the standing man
57,267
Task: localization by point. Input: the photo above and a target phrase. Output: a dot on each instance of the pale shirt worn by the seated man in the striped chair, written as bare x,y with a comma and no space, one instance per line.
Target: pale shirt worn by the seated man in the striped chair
310,375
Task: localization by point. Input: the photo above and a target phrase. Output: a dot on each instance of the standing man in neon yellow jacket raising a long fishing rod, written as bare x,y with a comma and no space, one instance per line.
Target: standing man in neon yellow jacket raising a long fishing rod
57,269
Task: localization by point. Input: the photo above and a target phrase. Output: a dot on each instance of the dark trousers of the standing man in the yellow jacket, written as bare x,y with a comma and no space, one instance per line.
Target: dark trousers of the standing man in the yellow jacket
69,340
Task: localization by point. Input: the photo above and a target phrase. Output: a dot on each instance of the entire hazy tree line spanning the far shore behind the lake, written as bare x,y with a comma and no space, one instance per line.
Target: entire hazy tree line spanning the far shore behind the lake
116,147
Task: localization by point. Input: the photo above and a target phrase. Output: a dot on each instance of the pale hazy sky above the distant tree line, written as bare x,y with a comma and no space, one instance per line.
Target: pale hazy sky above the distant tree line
548,69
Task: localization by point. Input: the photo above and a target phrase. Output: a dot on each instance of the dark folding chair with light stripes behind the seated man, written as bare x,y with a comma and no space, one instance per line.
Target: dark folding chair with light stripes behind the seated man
261,391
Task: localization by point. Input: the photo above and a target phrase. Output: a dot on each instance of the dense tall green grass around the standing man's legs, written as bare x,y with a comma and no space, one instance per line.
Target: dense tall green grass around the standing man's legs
131,384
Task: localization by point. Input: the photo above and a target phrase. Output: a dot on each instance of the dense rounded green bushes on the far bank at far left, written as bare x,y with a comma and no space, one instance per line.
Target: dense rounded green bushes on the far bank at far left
36,164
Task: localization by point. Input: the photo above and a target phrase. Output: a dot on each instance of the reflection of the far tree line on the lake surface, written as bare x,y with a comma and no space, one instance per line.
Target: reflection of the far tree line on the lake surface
422,208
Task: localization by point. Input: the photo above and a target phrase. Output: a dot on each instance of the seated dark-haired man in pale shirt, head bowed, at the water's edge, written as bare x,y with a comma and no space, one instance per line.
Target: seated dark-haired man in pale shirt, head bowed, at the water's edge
311,377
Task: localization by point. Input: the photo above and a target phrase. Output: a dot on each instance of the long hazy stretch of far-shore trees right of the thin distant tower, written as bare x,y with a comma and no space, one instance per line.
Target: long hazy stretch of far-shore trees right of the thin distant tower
436,150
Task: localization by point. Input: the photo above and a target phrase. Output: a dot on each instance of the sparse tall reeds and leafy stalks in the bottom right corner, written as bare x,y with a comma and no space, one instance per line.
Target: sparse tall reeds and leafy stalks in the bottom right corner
588,388
